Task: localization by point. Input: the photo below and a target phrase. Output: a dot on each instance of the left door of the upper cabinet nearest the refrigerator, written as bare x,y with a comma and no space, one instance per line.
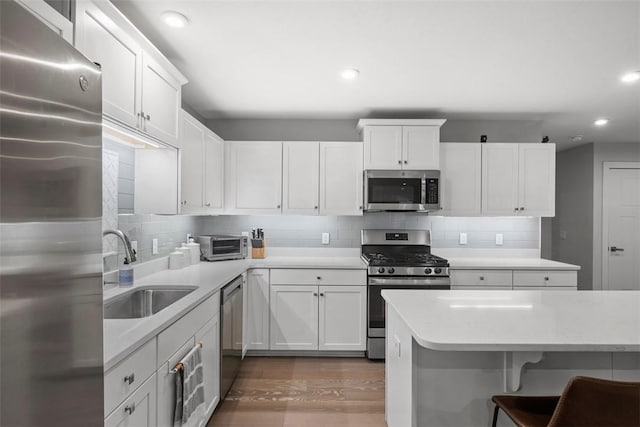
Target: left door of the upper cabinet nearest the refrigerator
104,42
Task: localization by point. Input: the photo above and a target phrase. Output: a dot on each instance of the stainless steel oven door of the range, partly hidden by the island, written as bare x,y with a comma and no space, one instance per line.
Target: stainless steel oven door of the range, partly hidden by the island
376,304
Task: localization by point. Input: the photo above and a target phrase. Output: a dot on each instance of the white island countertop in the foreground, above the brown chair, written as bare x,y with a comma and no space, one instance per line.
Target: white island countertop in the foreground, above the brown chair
520,320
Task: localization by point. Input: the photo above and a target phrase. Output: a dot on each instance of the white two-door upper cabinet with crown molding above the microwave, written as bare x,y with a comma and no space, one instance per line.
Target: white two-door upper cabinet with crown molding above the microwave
401,144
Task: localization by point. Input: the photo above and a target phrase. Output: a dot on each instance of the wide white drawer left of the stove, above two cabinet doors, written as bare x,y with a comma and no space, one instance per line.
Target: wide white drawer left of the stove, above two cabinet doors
318,276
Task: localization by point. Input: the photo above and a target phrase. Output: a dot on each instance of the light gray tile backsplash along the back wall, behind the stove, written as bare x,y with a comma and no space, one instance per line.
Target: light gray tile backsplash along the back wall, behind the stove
305,231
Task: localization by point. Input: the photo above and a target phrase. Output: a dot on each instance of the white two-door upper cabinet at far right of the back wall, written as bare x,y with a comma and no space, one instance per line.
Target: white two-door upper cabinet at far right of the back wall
518,179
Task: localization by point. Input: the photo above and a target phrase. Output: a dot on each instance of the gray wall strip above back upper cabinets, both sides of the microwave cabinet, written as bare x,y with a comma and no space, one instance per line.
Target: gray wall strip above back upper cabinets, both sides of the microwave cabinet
345,130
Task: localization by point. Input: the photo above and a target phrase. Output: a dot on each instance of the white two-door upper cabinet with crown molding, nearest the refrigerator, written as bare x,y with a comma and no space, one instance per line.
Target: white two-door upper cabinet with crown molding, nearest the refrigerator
141,89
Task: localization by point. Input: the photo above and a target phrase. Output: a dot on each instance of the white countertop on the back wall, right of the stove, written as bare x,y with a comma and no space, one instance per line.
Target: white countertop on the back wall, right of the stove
500,263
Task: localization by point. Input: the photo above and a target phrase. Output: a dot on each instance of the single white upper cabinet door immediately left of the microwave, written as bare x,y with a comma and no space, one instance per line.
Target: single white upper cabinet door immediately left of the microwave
341,178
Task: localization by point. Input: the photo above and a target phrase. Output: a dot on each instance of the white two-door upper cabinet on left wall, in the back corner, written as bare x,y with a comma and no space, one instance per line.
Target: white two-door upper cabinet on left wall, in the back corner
201,166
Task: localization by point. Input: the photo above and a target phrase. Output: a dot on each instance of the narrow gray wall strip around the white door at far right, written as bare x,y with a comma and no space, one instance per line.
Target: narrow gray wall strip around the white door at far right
628,152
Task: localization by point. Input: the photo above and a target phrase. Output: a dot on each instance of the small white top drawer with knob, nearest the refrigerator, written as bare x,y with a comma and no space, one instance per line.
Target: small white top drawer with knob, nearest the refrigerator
136,369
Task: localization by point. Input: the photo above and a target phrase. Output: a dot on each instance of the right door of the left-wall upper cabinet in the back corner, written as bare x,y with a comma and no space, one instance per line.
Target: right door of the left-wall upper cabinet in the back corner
213,173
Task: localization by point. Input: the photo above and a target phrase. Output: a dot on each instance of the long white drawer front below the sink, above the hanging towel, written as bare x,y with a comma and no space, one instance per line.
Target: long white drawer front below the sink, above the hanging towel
176,335
